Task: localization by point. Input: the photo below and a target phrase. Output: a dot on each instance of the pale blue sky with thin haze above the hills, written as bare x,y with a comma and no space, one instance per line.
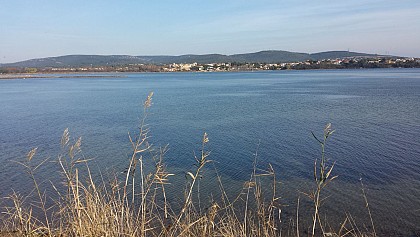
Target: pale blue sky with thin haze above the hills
41,28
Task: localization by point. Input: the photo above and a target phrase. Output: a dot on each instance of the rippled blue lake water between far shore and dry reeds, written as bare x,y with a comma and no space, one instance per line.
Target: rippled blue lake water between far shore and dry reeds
376,114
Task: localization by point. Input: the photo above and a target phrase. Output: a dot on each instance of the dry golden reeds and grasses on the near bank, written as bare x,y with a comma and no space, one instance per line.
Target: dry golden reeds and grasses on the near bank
137,203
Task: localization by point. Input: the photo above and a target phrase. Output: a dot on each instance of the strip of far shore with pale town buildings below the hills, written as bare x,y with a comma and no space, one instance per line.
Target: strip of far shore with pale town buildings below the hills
338,63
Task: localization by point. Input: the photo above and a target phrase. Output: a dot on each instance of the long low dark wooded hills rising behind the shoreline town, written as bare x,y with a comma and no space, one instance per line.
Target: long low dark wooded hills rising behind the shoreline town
270,56
